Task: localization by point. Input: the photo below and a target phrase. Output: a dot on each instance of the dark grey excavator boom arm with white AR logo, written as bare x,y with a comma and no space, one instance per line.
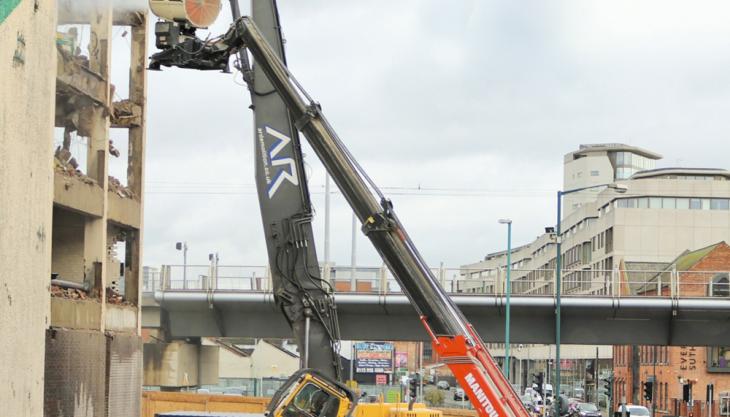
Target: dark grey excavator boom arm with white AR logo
286,211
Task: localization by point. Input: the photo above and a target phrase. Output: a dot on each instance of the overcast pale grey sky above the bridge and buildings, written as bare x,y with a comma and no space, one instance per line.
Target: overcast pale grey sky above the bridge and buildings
475,102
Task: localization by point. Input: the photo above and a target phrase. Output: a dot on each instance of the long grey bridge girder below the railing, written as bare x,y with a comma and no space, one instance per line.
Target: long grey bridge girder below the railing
590,320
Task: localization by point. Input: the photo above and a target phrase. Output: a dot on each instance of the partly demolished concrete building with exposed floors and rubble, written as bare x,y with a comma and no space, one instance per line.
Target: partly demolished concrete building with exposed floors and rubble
73,143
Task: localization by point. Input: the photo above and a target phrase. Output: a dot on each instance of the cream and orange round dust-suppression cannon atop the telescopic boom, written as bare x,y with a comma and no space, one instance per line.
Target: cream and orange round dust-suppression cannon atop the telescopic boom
196,13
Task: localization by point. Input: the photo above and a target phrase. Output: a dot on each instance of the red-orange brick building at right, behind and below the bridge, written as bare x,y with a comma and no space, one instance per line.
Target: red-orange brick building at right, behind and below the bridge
701,273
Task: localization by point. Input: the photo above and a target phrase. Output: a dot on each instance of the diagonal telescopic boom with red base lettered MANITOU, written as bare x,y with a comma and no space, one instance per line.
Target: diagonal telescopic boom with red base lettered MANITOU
452,336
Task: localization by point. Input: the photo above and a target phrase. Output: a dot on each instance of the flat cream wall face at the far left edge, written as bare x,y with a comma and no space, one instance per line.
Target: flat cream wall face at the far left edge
27,88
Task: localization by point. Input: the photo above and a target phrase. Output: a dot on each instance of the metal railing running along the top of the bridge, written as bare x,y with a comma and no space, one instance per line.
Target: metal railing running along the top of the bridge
379,280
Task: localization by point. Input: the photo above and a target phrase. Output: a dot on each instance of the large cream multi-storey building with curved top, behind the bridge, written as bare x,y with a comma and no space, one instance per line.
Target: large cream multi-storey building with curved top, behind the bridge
663,212
